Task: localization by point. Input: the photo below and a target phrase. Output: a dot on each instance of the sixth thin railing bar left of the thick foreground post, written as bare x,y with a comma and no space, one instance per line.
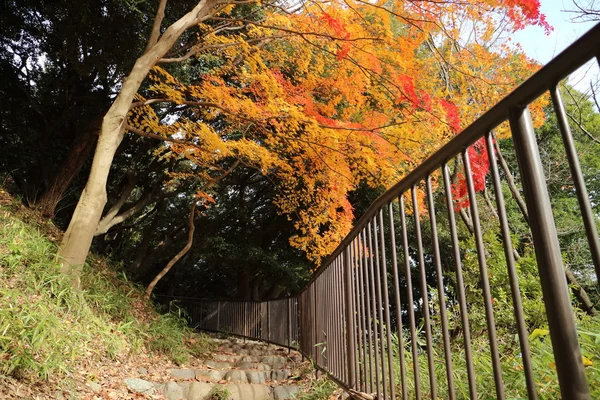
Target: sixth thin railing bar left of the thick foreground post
410,300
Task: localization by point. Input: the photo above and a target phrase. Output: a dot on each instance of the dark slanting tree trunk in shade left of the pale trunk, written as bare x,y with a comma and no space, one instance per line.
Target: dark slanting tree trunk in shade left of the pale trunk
78,153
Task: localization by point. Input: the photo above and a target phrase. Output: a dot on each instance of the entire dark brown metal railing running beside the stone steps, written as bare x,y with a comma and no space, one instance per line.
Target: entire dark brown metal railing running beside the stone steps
349,318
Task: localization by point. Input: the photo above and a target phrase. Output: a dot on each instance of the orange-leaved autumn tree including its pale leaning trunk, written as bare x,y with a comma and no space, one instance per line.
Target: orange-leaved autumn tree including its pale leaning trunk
318,97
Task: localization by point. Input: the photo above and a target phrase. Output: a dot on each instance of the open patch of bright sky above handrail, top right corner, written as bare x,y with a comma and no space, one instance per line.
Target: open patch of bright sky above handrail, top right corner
543,48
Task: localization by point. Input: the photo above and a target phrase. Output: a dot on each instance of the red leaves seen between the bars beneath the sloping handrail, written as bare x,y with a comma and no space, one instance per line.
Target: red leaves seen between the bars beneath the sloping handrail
480,165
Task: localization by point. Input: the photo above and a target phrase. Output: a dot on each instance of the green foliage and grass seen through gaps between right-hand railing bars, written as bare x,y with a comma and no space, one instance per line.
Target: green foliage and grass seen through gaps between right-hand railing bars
576,257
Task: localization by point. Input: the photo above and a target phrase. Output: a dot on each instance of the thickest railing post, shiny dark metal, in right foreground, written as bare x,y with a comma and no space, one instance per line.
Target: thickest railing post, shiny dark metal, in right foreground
567,354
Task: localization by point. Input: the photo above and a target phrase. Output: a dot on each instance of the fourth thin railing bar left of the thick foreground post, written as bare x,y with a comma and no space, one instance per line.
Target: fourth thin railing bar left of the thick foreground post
441,291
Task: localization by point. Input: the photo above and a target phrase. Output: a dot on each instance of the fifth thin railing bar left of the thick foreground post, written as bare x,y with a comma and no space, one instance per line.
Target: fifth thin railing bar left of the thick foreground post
424,295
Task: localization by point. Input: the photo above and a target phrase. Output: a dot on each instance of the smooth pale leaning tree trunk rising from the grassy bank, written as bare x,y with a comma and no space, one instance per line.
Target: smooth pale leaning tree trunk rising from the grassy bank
78,238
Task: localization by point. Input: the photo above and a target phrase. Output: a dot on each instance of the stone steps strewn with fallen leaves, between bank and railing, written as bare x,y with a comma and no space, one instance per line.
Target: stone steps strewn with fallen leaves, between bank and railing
238,370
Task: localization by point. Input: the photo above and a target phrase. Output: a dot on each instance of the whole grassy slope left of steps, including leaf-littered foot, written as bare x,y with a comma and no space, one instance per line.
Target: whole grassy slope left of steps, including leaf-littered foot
54,340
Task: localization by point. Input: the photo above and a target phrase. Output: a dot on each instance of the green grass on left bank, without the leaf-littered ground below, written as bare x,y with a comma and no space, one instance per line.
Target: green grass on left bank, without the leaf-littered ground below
46,327
